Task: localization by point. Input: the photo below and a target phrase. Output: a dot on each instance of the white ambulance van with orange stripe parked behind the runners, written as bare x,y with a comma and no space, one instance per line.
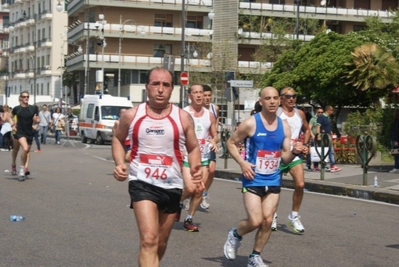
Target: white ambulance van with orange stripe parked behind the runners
98,114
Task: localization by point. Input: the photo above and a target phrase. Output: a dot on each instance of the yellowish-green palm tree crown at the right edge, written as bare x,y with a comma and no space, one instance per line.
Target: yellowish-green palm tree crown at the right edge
373,70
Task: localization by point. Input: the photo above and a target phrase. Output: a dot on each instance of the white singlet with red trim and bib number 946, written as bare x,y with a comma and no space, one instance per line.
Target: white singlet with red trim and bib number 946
157,145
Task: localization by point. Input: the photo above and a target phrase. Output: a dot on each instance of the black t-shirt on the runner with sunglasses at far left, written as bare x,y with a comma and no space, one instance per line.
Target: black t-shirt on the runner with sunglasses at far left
25,119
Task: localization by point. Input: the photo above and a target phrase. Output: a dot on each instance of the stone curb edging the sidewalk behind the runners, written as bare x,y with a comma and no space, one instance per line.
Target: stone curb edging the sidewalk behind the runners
339,189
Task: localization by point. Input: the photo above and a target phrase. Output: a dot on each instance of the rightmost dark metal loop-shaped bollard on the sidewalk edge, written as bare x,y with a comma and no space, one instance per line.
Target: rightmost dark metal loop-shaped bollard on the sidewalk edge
365,149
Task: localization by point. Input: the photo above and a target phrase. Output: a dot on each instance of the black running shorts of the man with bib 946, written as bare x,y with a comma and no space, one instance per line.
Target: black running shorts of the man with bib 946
167,200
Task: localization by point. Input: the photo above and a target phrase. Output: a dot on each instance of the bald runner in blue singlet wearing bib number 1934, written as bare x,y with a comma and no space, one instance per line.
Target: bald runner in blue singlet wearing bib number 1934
267,141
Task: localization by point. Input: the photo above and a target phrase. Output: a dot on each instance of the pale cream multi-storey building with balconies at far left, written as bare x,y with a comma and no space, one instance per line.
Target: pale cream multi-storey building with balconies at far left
35,52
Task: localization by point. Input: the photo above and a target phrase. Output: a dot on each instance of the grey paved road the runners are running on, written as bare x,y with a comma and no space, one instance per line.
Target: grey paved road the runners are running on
77,215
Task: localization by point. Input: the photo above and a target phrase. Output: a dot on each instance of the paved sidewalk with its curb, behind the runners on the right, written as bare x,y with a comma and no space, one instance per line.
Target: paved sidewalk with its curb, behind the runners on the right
348,182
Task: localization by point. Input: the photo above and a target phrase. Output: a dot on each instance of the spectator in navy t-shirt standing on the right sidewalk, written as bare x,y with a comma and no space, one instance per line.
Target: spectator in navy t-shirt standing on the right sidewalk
324,125
